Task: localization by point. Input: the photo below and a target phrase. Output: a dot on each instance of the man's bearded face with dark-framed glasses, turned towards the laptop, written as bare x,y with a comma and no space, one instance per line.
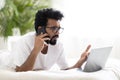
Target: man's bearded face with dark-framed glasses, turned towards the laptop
52,29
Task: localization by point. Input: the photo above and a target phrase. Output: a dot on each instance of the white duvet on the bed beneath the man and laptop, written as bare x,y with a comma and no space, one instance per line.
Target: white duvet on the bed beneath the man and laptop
110,72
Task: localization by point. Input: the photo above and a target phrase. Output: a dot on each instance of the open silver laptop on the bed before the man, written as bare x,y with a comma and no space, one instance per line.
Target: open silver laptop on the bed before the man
97,59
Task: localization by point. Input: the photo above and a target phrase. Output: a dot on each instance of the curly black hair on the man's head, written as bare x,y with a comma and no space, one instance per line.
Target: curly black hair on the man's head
43,15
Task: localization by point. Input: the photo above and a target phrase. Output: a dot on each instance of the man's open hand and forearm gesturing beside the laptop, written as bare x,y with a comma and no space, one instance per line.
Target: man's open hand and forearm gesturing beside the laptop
82,59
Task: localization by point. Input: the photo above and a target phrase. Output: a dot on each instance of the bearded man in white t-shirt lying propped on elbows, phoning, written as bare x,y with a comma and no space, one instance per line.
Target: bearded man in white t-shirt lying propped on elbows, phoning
41,50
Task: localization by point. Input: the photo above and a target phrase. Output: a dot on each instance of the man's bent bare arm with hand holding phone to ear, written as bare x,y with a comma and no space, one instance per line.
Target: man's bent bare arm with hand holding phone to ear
38,46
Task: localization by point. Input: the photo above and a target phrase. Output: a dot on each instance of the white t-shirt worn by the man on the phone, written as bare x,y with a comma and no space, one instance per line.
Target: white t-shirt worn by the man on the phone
24,46
